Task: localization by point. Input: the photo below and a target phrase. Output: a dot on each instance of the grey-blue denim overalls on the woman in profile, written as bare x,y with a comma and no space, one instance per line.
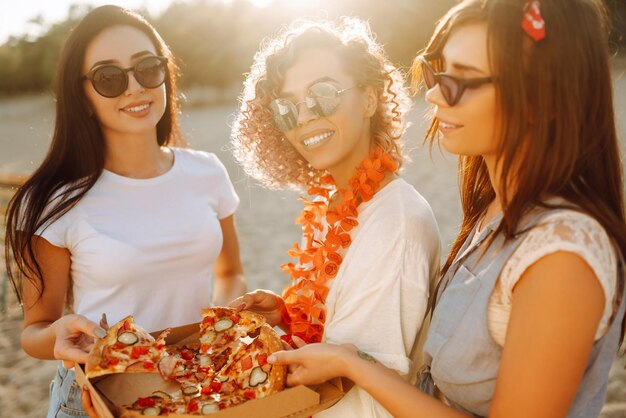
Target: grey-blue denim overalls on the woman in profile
461,359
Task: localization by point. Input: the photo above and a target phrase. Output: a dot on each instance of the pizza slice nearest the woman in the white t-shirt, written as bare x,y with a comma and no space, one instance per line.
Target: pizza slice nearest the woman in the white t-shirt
127,348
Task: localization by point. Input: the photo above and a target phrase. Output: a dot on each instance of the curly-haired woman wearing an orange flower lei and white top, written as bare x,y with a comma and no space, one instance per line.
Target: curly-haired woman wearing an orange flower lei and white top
323,109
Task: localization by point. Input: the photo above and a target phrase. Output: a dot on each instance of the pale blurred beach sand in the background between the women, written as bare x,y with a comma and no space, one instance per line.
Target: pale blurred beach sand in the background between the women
264,221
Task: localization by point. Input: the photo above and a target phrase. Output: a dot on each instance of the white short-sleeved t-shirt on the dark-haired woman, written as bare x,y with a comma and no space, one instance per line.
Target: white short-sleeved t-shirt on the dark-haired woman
146,246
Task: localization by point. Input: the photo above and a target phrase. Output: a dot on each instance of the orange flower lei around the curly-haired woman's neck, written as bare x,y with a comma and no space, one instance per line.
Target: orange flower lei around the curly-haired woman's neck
318,262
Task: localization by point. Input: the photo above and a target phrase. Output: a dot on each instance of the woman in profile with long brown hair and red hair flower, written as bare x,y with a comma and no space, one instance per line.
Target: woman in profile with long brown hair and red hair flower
529,313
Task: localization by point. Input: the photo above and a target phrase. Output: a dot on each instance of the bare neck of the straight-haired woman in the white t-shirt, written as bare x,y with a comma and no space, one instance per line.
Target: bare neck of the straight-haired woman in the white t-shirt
137,156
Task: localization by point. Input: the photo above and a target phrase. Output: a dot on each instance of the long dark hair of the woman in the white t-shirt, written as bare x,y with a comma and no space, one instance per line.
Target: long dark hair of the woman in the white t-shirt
75,158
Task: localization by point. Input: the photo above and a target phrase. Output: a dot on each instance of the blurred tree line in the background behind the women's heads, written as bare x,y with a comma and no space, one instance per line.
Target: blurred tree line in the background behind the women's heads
214,40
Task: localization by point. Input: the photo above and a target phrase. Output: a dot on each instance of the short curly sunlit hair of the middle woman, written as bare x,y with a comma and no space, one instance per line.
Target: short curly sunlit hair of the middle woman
261,148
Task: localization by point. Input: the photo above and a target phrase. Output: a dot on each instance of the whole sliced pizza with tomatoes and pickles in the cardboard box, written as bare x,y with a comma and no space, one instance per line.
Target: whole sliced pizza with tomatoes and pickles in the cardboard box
226,367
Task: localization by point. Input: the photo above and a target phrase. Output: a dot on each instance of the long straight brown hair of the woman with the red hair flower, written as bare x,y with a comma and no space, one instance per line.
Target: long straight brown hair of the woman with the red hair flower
563,85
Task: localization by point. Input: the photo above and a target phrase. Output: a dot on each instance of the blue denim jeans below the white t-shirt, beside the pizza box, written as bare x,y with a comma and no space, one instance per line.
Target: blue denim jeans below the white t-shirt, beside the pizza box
65,395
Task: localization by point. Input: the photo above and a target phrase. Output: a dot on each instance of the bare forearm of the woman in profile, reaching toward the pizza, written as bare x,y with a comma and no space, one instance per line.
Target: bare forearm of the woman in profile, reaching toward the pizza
397,396
